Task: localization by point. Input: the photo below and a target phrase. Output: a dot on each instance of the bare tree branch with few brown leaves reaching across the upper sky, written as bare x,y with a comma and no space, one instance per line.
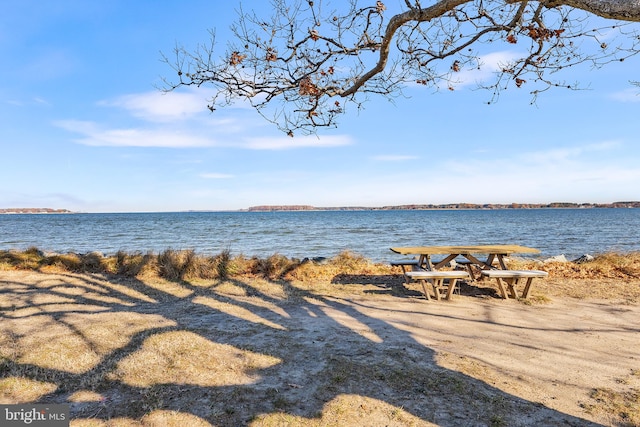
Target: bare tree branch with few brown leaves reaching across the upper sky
307,64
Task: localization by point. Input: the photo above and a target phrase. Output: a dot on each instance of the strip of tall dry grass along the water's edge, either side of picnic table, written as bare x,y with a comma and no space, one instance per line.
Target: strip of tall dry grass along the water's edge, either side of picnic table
187,264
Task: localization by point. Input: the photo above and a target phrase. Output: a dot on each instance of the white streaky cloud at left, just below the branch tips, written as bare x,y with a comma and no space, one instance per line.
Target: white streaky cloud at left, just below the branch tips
180,120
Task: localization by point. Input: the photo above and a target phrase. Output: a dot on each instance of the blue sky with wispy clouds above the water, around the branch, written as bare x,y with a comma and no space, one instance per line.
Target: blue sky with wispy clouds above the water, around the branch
84,127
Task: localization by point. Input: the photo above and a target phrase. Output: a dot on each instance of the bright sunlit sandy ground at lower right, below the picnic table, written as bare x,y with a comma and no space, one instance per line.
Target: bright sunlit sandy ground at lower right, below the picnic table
554,354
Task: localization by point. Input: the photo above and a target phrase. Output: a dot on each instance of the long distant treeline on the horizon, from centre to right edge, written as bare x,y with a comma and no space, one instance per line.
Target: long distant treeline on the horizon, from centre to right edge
555,205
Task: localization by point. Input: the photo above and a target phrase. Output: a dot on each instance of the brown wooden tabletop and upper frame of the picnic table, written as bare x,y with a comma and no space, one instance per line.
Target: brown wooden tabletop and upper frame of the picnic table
493,253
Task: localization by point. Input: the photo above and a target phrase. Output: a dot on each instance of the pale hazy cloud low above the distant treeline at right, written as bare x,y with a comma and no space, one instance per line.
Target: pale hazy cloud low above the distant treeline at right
573,173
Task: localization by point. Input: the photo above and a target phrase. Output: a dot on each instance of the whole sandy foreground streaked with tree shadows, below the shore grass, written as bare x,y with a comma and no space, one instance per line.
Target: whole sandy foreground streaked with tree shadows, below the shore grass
358,349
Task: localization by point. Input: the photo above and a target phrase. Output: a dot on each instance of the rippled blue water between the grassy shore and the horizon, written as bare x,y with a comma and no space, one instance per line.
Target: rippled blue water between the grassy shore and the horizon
572,232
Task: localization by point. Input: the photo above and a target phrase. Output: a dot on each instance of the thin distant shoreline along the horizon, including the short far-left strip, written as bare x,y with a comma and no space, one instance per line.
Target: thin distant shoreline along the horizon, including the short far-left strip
448,206
